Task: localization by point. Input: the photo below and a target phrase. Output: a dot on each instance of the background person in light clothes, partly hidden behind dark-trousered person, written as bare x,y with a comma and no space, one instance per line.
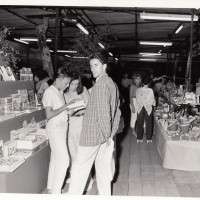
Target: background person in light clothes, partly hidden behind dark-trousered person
137,83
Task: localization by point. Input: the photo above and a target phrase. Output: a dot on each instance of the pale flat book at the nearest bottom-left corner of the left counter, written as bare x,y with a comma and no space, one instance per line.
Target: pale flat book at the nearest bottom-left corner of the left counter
10,164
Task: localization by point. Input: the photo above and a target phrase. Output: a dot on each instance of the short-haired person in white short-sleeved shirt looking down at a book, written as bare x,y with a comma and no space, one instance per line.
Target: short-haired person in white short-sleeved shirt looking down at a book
57,125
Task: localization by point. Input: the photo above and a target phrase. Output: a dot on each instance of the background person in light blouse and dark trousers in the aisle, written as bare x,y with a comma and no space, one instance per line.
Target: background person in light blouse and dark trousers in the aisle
145,100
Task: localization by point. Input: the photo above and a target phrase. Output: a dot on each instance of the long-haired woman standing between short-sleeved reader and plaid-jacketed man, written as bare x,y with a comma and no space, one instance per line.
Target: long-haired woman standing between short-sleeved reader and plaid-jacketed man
76,91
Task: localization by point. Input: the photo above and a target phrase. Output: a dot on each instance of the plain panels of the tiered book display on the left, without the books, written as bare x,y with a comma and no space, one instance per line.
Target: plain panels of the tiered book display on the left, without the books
31,177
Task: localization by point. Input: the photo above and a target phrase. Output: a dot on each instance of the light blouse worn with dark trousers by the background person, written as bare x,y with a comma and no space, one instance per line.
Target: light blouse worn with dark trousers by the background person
145,97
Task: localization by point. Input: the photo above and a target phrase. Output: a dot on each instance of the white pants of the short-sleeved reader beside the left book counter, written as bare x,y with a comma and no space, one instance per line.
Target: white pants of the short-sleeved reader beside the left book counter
59,160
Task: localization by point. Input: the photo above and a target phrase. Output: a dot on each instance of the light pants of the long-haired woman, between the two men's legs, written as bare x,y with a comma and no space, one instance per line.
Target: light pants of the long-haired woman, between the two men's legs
74,131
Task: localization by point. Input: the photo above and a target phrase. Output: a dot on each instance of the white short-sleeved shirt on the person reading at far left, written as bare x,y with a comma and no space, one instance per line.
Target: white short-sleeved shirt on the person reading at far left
54,98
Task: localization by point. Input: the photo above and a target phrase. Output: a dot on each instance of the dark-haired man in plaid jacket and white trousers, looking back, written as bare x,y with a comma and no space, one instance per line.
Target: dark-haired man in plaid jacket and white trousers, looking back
100,123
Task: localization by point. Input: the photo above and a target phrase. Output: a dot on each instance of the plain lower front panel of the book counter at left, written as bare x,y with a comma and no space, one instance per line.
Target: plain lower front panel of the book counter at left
31,177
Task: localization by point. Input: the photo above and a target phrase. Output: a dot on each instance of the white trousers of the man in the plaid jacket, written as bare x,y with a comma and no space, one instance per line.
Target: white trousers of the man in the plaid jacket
82,167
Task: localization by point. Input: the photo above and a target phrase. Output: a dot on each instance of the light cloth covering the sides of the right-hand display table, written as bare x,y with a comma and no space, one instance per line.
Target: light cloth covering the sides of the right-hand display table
180,155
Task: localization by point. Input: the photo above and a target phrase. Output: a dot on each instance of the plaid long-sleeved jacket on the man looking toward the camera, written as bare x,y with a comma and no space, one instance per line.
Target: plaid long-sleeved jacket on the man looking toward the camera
102,114
